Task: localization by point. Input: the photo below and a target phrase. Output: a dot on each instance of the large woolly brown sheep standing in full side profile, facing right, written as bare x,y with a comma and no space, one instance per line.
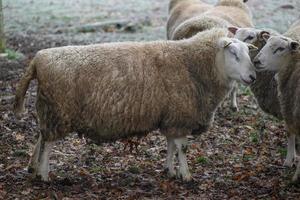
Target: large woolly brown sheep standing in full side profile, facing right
117,90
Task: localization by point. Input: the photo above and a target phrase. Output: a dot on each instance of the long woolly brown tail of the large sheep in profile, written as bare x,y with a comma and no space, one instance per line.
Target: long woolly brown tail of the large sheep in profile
22,87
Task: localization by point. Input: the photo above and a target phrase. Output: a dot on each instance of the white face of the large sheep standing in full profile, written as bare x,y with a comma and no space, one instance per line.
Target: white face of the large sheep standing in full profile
234,57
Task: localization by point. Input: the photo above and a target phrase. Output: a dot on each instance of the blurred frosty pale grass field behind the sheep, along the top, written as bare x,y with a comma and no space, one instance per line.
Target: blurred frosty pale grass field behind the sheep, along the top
60,22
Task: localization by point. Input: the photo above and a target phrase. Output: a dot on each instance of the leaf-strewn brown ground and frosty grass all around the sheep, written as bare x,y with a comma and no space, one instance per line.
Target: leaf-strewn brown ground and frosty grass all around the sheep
240,157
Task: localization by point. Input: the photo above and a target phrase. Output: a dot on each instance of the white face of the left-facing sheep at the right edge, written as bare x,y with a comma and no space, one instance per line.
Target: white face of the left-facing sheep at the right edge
276,53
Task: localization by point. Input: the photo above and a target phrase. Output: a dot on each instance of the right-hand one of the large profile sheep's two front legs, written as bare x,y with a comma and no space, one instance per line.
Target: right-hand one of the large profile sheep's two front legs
183,171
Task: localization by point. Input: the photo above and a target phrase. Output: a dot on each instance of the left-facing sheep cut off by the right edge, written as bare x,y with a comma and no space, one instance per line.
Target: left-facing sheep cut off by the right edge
281,54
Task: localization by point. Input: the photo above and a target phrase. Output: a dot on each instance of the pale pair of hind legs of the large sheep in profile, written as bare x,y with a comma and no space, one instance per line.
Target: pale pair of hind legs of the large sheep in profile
39,162
